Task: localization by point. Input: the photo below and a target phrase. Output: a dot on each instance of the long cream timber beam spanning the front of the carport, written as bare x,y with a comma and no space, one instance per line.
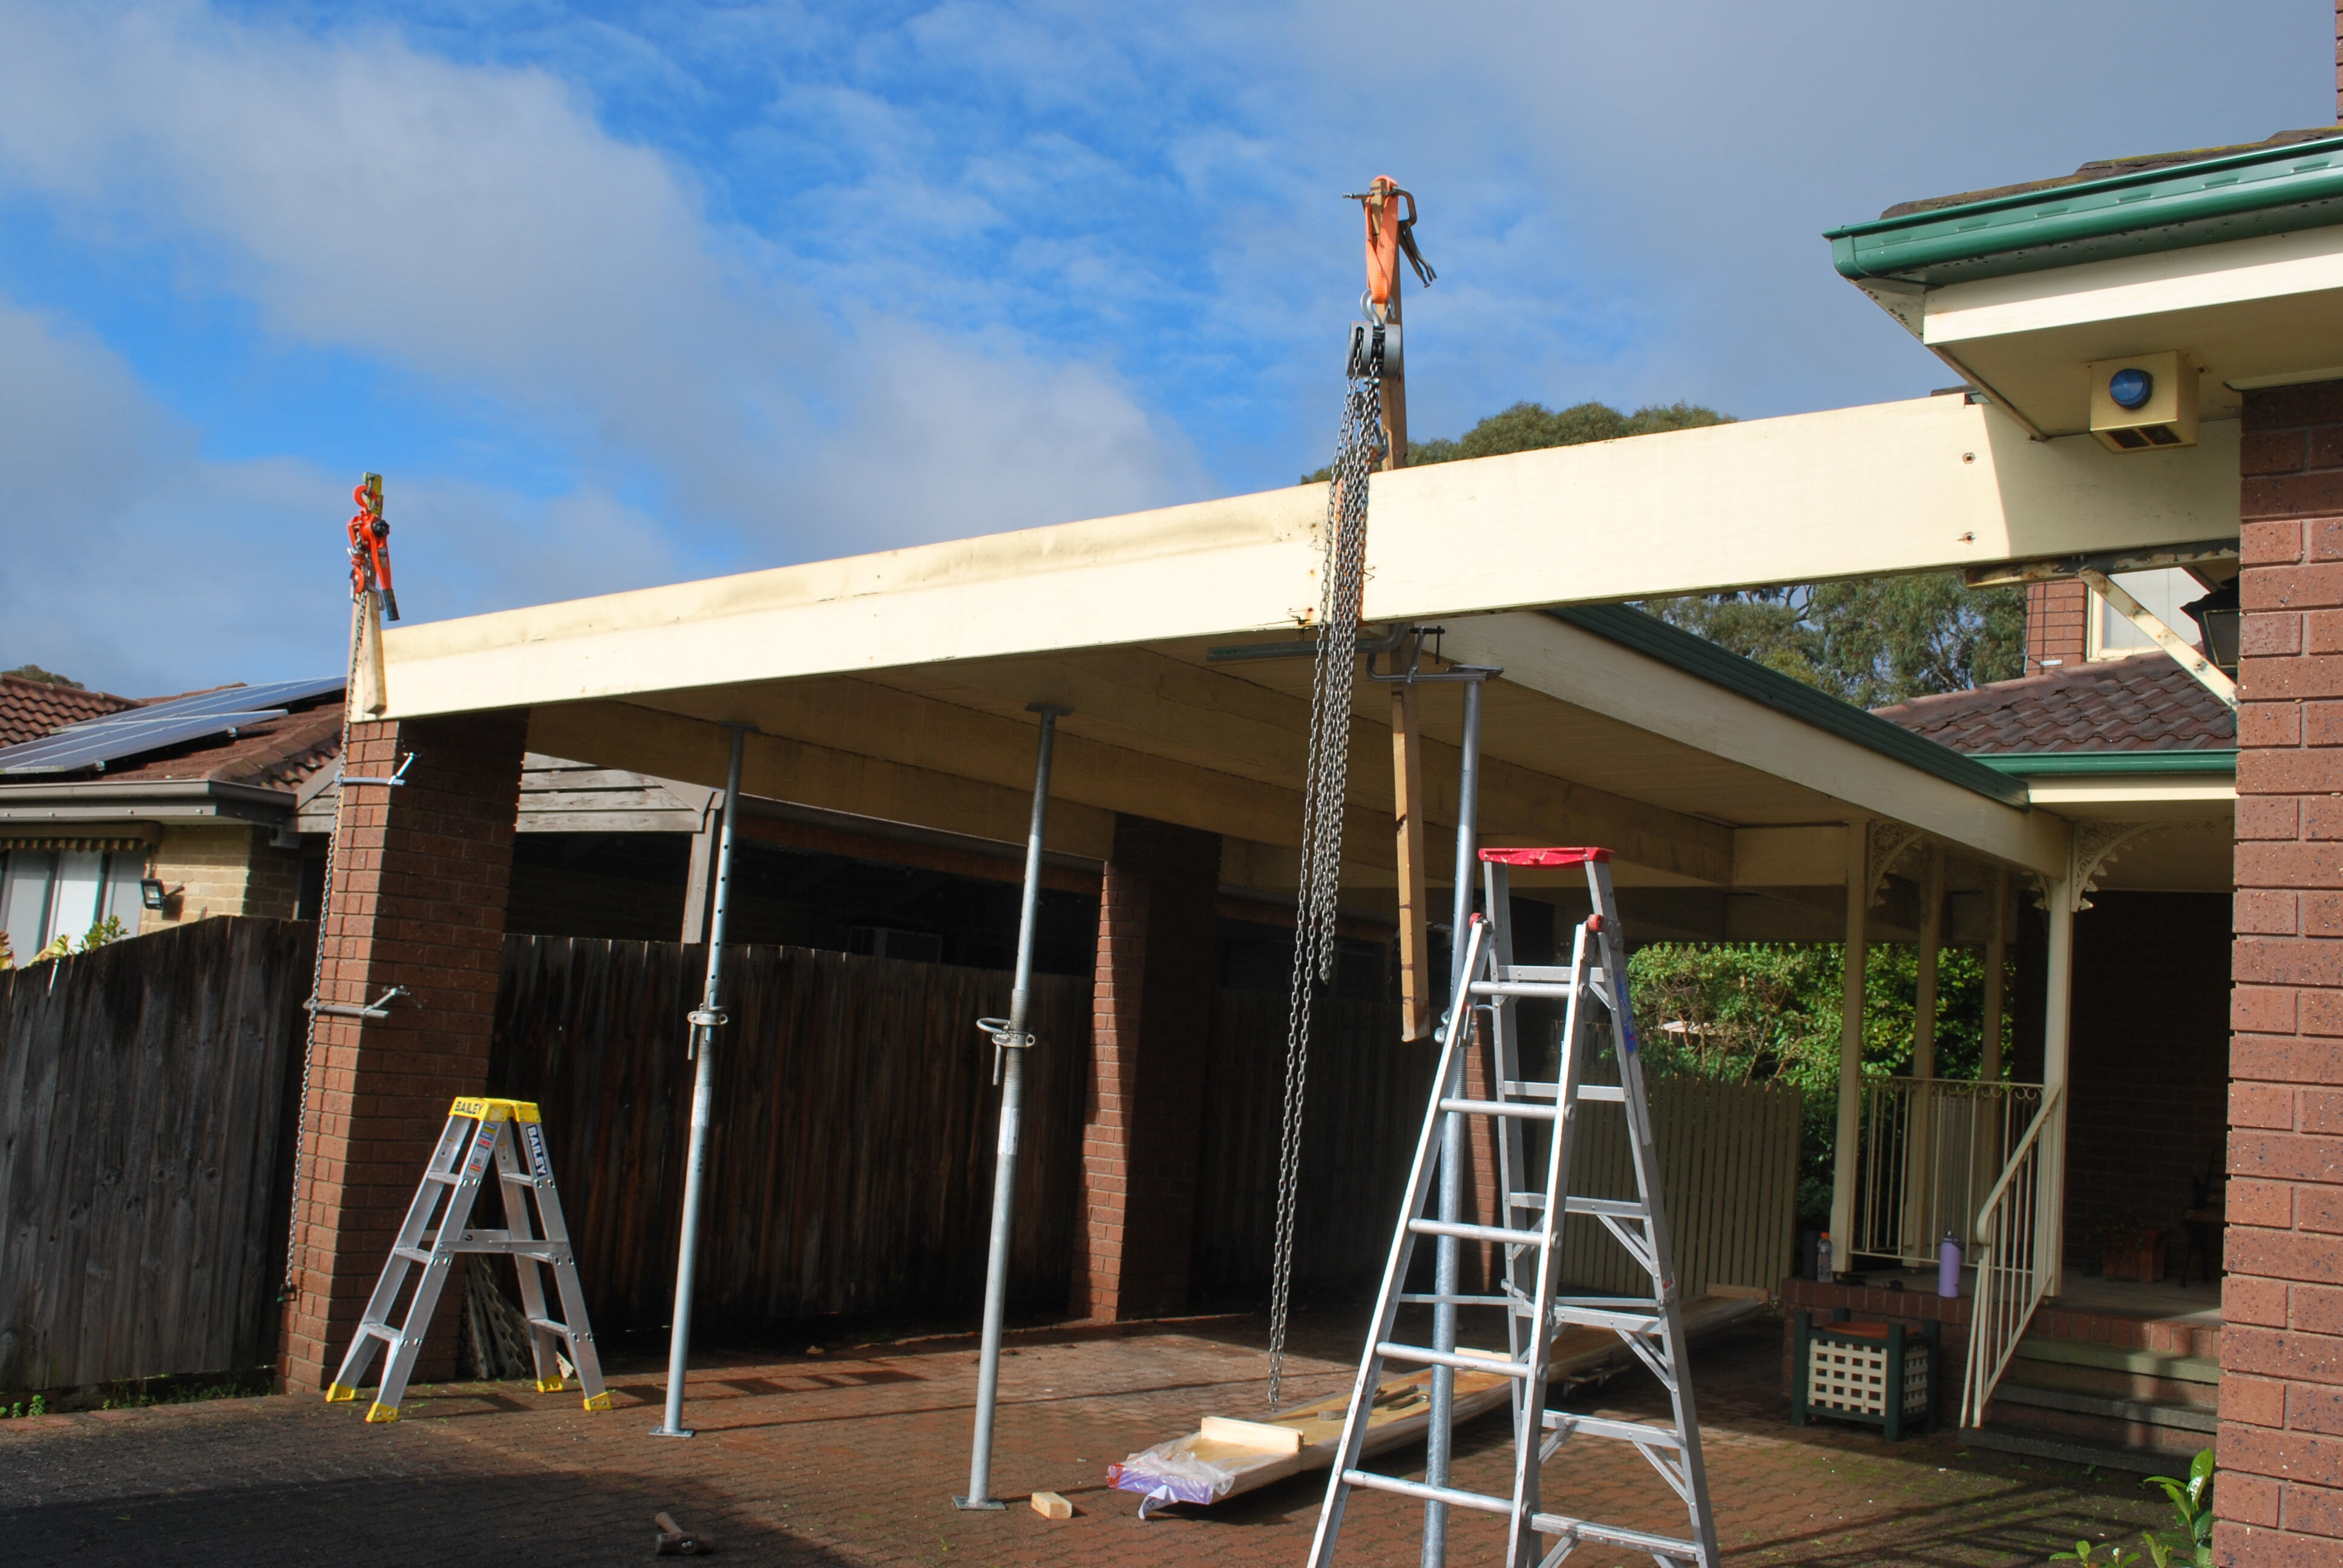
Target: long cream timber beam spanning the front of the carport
1847,493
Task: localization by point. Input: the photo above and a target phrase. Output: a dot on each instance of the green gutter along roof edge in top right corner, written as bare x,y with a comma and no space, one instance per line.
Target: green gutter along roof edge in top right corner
2272,191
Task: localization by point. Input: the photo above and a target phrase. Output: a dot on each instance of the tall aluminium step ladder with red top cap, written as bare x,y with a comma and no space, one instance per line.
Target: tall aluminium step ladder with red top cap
1529,1227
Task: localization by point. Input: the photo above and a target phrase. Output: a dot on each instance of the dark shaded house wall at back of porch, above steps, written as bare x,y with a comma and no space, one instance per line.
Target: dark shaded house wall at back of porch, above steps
2147,1063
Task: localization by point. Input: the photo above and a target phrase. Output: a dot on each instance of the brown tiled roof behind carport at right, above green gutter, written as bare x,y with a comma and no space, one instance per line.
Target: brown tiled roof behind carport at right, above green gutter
2140,704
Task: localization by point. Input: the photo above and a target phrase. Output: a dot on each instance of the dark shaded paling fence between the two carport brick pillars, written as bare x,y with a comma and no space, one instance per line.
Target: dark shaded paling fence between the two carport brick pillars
854,1140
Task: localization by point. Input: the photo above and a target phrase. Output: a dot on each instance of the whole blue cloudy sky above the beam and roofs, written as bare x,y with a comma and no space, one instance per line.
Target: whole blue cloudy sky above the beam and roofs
638,294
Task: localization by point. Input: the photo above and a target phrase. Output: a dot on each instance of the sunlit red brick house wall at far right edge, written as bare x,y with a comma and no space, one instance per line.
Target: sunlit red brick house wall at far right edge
2281,1494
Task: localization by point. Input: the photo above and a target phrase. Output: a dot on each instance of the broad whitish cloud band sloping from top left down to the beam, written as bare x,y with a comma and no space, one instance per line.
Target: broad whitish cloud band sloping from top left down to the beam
477,226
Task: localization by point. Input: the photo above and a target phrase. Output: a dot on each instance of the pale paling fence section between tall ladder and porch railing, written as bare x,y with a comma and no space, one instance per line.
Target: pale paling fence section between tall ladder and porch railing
1728,1159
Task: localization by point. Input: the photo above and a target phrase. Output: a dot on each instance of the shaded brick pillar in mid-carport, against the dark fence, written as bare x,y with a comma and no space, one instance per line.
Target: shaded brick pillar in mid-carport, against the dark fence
1159,906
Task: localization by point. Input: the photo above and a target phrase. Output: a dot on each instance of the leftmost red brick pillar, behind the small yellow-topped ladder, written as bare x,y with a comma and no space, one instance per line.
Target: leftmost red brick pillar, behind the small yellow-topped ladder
421,878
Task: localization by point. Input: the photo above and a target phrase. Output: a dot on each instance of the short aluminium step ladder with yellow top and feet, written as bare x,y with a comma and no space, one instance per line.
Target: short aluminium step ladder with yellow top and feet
479,1133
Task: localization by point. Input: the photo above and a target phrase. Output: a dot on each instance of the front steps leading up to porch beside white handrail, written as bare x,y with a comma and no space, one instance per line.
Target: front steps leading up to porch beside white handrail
2105,1400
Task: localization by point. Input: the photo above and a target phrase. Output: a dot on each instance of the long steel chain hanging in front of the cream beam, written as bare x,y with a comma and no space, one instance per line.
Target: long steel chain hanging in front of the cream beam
1325,786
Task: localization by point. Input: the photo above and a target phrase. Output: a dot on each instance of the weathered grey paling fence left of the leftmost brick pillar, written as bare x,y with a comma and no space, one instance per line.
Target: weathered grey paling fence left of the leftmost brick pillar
144,1157
